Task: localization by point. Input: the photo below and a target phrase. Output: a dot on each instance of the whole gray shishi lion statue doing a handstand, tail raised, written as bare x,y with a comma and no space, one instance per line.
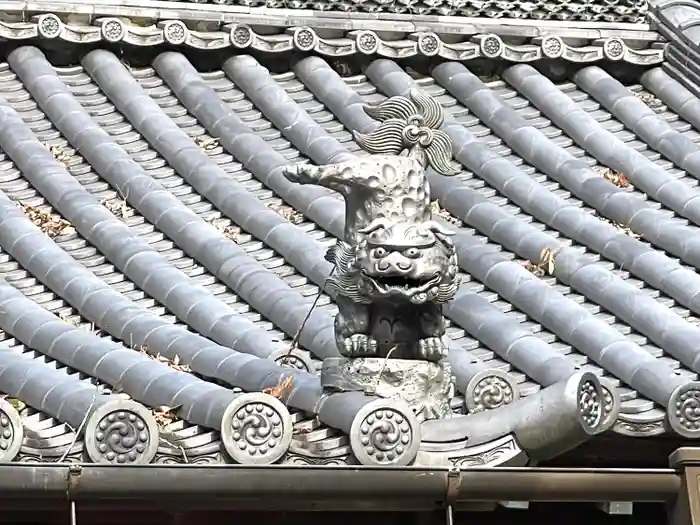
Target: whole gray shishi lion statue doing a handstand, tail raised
396,267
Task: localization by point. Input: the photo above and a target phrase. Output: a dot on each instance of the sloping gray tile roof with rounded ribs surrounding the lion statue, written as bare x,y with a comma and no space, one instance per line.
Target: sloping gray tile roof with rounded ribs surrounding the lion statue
158,258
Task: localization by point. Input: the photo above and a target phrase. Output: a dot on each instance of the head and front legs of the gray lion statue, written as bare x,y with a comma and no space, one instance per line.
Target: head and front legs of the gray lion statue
390,289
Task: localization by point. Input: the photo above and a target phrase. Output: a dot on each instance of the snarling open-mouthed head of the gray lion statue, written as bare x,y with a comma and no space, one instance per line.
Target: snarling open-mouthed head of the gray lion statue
404,261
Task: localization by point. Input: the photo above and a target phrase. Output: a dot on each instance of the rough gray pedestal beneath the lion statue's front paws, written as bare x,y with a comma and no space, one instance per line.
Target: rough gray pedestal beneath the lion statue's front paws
426,387
